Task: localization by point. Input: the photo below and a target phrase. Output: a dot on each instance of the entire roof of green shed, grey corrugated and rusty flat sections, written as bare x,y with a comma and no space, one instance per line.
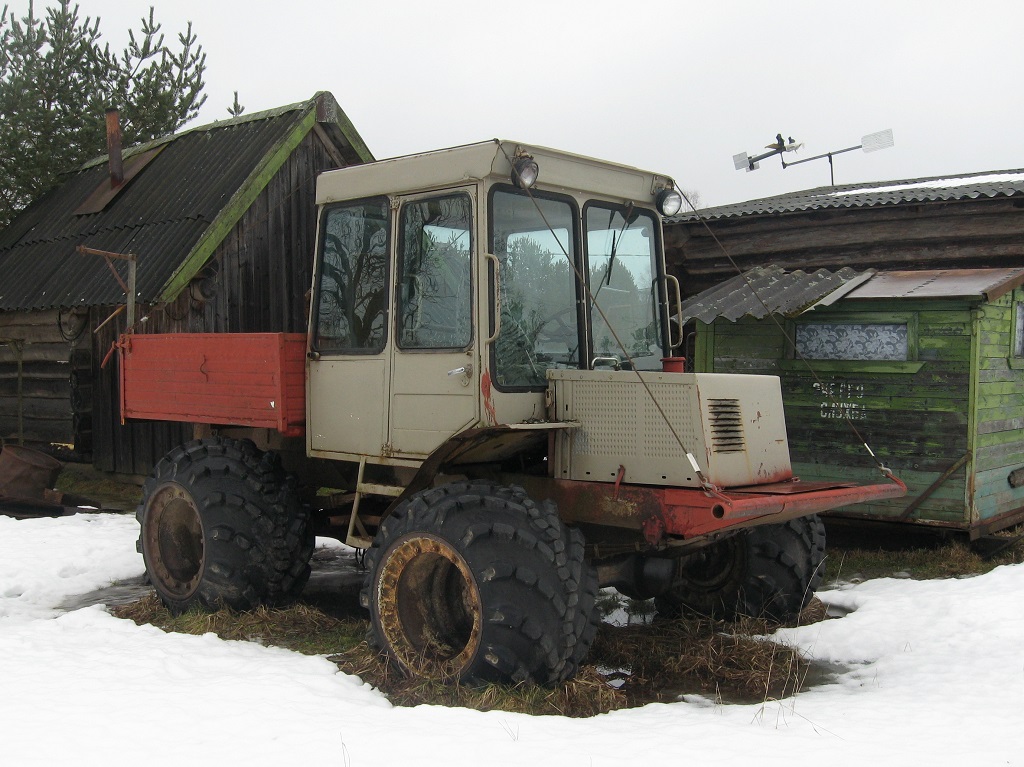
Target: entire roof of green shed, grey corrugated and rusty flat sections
773,290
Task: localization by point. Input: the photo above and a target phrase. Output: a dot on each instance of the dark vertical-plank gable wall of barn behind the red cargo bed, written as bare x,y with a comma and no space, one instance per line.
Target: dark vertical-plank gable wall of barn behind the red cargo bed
255,283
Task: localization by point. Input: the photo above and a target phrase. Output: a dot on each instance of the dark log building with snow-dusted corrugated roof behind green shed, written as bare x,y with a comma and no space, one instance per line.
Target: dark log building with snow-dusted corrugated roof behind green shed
960,222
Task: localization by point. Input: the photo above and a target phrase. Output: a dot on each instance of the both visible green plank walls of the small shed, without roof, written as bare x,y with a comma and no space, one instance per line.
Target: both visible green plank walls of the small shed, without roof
960,392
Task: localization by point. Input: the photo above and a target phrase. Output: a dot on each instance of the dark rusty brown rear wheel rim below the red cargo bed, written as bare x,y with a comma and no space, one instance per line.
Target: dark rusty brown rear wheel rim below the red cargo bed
174,541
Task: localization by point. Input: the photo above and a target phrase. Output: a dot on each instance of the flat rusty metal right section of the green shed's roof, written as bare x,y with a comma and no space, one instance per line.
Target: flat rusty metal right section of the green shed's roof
987,284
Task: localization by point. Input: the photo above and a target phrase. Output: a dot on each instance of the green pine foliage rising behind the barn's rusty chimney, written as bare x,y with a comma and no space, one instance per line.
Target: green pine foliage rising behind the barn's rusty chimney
57,81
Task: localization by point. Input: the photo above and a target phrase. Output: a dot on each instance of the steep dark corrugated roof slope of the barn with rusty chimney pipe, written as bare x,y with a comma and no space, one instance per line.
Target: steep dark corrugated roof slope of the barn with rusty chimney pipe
159,217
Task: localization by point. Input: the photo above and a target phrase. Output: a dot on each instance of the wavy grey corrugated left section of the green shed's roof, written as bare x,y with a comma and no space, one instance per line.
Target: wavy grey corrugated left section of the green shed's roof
769,290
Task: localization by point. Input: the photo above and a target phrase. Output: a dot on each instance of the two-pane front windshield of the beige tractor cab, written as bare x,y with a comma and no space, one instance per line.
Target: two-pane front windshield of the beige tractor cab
547,321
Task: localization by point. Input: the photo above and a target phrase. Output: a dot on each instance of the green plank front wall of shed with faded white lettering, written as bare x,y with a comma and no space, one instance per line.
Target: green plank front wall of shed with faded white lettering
916,421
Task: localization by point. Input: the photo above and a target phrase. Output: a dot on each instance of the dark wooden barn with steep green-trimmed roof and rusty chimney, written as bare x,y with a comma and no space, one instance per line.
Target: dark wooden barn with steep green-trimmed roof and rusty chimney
220,222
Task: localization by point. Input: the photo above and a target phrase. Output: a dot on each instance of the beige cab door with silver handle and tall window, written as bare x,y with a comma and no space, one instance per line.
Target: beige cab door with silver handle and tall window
435,373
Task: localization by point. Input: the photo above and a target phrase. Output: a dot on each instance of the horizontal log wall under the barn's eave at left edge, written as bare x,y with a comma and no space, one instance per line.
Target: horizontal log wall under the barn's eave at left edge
46,381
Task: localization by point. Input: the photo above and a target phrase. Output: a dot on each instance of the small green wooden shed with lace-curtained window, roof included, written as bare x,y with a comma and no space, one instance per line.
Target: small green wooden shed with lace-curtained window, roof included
925,368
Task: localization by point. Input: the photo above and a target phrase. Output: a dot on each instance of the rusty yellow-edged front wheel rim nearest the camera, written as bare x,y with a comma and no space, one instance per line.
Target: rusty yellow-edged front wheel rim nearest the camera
430,607
